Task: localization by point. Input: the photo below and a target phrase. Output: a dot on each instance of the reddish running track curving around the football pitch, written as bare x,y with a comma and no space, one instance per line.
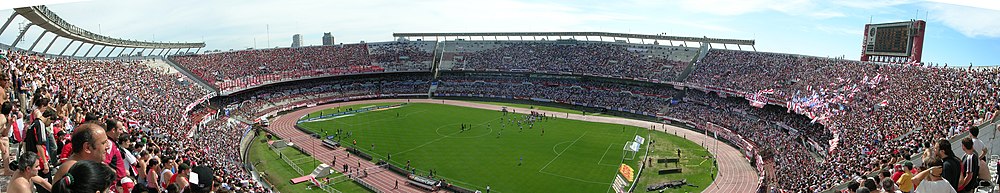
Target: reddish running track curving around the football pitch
735,172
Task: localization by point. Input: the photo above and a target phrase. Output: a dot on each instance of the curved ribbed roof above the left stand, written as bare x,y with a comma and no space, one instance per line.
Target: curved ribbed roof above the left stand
48,20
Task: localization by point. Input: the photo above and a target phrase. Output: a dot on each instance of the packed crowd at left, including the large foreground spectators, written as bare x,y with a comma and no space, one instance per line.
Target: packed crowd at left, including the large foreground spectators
97,125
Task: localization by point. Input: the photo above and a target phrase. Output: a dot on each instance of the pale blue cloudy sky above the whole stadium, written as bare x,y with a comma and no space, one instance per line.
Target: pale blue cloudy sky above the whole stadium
958,32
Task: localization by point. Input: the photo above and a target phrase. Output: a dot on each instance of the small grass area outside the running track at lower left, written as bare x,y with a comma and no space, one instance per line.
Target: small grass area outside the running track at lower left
279,172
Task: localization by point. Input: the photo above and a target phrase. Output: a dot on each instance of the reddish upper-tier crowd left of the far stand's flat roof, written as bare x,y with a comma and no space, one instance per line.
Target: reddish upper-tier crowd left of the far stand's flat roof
246,68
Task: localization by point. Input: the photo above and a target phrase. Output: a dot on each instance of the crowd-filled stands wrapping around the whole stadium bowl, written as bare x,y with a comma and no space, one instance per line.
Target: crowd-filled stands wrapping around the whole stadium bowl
834,120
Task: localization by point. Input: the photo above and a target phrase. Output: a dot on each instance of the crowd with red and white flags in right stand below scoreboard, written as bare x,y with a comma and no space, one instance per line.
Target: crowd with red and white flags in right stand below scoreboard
870,106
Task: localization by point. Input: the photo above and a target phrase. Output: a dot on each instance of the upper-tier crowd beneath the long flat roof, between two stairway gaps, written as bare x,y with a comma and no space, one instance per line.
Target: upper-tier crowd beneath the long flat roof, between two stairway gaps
599,59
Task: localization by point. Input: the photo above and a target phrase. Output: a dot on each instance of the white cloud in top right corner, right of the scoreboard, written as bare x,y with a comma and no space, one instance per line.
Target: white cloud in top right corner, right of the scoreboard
969,21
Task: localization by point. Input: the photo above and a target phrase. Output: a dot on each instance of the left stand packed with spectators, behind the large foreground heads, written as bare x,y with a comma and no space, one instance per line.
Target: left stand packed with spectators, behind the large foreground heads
150,103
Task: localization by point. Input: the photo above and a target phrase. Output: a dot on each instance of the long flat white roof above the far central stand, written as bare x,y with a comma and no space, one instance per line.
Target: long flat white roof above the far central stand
585,34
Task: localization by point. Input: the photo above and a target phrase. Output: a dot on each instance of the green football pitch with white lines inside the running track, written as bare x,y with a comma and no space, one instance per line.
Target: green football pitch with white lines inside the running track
551,155
